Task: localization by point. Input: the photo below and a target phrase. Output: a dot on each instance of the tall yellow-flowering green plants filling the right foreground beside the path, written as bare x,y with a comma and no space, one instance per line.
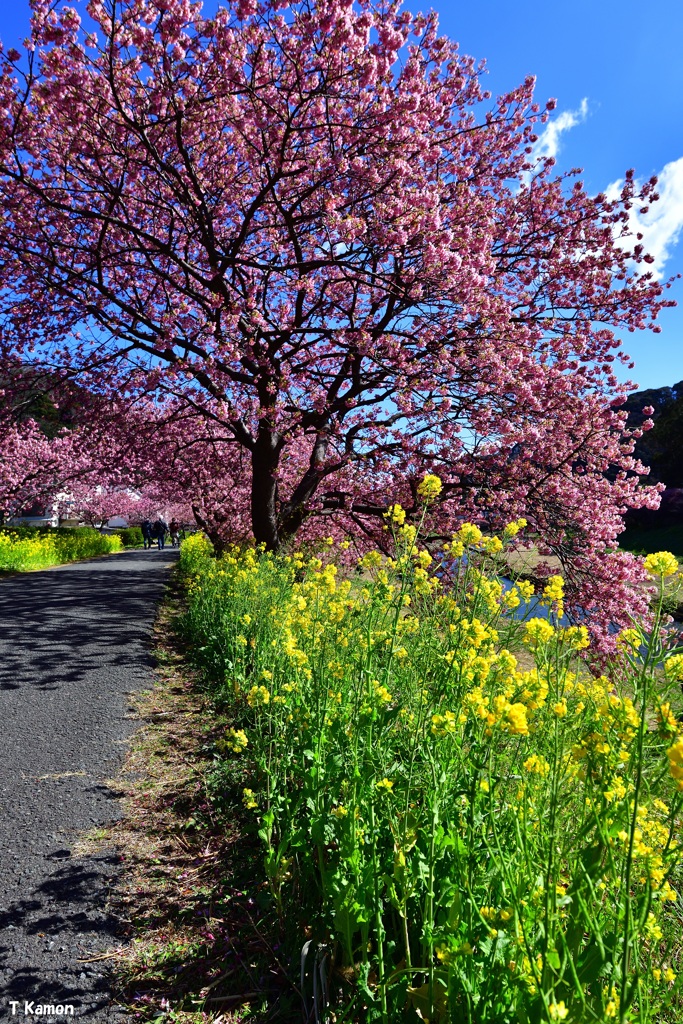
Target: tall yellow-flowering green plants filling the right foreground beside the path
458,821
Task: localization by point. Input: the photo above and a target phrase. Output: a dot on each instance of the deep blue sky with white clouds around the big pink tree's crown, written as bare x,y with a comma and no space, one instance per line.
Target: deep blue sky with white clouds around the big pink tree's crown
617,72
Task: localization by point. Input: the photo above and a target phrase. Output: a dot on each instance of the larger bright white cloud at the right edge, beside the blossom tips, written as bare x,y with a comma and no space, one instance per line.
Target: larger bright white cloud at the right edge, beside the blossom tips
662,226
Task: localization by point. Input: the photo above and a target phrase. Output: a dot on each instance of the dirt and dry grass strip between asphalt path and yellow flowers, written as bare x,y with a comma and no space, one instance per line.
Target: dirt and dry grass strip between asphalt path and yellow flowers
198,944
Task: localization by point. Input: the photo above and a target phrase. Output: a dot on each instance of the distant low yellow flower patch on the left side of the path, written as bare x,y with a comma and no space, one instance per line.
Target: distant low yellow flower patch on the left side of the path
24,549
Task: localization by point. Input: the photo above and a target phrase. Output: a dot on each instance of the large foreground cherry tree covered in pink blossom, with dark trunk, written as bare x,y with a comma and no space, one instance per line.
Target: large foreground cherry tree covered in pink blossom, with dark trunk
311,225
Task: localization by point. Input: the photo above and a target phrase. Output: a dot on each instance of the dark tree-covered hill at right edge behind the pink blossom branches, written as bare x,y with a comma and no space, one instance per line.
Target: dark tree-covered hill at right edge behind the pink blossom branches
661,448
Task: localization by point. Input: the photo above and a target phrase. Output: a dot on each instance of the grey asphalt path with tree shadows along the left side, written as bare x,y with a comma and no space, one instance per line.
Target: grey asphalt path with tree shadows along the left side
74,643
